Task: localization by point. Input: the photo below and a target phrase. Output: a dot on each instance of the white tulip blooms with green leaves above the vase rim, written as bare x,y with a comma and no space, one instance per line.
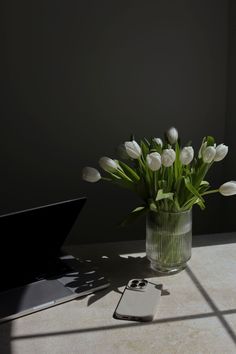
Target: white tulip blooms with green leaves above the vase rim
165,175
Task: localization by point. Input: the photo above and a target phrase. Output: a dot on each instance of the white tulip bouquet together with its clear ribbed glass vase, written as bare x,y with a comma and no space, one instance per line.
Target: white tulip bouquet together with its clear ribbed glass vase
169,179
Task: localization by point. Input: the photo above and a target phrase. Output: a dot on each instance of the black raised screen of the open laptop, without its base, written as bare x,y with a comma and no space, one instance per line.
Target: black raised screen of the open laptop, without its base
31,237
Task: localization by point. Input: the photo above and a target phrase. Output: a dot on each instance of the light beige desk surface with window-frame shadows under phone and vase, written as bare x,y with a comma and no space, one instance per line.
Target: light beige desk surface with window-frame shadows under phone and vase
197,312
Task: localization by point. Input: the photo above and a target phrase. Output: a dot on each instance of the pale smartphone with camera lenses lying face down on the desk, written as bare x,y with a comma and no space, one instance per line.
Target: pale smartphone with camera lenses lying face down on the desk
139,301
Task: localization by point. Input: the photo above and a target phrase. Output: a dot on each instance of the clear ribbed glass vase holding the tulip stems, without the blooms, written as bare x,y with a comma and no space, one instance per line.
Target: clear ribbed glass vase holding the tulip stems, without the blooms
168,240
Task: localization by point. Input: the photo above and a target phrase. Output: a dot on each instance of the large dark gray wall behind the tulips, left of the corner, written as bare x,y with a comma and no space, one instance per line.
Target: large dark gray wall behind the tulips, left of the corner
80,76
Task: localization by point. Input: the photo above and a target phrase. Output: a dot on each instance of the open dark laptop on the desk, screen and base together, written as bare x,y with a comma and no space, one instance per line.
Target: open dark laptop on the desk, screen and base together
34,272
